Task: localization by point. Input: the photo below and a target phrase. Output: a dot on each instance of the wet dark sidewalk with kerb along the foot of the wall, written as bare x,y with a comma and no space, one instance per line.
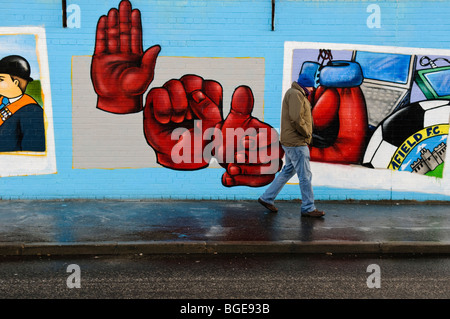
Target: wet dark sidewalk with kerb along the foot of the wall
79,227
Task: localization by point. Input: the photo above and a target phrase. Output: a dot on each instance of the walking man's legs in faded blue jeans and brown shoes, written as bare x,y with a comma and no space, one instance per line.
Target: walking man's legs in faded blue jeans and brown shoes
297,162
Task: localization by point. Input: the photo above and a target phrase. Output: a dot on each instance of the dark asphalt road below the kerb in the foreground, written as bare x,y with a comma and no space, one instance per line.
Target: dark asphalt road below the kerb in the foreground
226,277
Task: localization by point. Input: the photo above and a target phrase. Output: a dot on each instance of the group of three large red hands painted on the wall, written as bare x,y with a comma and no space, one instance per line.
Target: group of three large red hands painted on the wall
183,120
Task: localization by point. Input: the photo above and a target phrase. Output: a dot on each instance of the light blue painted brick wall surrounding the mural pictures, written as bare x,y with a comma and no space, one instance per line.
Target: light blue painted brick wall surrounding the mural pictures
219,28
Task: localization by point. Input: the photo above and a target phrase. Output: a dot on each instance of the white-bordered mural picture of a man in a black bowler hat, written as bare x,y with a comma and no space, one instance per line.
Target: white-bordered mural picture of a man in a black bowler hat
26,125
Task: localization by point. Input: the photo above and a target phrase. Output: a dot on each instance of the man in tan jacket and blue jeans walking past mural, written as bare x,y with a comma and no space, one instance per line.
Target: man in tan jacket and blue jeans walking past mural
296,135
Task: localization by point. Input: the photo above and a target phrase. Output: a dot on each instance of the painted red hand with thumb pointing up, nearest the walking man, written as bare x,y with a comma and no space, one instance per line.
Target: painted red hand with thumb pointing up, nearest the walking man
250,150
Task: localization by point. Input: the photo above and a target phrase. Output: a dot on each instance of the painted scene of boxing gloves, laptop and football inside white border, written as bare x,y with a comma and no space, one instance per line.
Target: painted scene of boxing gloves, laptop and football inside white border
378,109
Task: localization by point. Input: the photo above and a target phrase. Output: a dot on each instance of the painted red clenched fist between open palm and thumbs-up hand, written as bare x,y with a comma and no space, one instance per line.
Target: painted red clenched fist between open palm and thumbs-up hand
176,117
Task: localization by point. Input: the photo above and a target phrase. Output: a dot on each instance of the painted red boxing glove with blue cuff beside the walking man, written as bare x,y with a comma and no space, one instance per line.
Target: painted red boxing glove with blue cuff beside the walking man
340,114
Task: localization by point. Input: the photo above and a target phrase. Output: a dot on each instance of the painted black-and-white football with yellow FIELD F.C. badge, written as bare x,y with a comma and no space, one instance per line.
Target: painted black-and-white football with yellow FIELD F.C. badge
412,139
